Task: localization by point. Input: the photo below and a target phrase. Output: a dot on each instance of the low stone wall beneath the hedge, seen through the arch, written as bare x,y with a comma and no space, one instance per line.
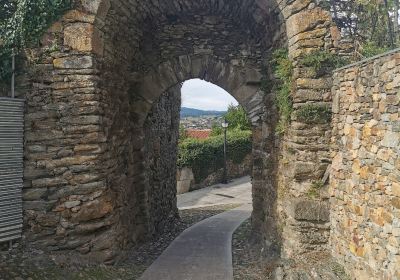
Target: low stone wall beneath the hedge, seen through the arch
186,181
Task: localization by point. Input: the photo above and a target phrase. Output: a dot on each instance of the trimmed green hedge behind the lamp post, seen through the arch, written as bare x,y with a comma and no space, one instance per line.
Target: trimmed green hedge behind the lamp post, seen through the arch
207,156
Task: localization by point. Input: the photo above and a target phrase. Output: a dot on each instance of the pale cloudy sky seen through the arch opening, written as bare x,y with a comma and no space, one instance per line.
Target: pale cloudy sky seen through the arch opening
199,94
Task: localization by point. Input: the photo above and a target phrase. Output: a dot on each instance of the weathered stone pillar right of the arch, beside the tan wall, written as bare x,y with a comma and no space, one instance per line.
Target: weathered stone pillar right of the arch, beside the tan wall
305,146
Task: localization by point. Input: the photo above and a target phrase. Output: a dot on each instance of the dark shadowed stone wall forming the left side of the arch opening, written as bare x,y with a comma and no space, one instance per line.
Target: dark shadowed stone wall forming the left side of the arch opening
162,135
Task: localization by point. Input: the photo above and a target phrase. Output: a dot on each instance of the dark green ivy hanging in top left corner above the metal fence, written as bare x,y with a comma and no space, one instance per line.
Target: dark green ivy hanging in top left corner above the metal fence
22,23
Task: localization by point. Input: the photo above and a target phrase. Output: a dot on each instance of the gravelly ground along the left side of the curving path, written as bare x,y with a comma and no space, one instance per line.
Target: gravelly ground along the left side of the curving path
16,265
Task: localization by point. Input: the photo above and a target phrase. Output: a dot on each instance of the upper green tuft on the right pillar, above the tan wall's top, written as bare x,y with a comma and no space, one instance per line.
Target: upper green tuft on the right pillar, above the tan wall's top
322,62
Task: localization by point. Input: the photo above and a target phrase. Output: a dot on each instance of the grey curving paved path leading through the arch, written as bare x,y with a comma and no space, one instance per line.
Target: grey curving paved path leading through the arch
202,252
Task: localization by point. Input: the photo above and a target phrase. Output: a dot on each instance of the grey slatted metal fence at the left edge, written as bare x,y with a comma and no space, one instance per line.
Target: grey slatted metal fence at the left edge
11,167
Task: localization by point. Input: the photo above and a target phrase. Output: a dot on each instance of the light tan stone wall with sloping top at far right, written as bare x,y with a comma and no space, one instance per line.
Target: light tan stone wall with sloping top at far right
365,189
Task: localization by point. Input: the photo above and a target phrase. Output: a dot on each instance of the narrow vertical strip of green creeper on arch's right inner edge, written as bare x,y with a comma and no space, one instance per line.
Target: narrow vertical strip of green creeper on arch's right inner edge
283,70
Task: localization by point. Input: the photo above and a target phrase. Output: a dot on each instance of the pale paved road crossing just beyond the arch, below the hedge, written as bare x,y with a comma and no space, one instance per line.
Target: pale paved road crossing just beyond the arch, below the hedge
237,191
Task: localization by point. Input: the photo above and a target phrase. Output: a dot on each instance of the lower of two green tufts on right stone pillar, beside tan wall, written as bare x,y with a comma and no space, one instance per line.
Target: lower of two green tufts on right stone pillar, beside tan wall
314,114
